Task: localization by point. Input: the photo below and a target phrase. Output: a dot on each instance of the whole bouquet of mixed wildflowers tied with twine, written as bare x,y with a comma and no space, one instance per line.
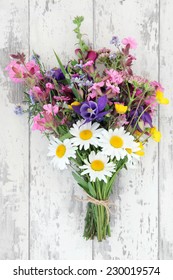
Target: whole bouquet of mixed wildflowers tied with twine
96,114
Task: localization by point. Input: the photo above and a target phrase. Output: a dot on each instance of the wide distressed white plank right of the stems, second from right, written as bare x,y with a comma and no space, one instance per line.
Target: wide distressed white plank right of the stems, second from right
135,223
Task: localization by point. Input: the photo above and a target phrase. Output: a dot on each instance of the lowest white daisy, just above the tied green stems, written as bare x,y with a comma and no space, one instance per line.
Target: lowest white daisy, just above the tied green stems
98,167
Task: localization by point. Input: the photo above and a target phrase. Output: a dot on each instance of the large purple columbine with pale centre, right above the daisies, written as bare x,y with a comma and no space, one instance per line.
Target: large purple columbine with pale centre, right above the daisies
91,110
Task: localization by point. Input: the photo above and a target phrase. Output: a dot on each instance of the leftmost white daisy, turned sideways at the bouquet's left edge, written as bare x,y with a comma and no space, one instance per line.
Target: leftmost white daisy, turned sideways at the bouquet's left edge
61,152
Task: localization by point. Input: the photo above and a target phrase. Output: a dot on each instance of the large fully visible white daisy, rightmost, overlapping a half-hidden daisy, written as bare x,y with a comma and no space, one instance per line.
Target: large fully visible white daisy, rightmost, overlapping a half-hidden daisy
115,142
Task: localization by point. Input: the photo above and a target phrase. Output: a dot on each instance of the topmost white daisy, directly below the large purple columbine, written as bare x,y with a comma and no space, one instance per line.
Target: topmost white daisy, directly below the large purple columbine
85,134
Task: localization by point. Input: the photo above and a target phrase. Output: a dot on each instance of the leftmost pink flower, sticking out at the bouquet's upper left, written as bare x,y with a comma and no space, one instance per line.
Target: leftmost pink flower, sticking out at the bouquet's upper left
16,72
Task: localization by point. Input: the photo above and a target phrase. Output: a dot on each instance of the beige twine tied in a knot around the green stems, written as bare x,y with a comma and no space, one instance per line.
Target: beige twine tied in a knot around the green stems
105,203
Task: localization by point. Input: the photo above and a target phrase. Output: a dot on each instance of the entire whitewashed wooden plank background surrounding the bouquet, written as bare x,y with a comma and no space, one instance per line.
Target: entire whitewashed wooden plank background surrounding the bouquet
39,218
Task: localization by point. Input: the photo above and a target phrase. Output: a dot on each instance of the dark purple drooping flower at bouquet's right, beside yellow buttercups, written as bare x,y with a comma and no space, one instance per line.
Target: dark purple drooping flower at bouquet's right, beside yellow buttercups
145,117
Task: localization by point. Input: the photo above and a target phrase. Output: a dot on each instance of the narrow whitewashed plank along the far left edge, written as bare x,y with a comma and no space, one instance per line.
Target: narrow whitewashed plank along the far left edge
14,138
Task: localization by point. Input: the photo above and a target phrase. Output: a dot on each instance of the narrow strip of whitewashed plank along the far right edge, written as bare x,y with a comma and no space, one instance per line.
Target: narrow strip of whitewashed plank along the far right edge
166,127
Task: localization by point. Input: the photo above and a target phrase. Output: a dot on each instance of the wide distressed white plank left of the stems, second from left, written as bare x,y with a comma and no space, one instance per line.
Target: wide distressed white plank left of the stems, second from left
57,220
